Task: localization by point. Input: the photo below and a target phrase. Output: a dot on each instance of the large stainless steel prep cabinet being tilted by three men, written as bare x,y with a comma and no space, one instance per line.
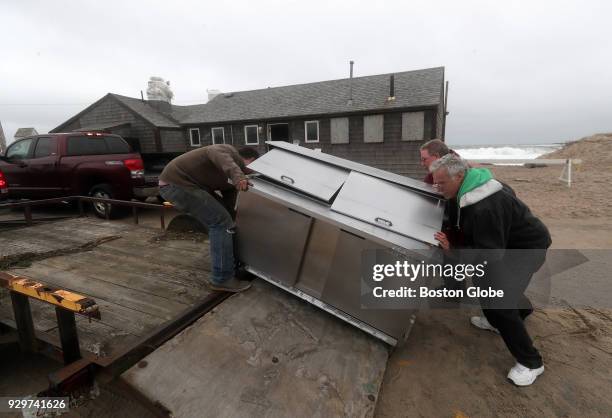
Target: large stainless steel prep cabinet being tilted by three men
308,217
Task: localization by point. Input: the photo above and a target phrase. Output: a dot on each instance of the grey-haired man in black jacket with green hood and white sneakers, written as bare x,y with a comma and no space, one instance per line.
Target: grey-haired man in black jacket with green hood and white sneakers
491,222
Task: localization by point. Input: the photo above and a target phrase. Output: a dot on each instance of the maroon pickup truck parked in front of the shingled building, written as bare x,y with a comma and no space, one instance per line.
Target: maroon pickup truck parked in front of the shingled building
69,164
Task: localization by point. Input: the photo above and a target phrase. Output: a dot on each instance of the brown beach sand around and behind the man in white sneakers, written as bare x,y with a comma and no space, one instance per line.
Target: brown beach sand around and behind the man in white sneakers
450,369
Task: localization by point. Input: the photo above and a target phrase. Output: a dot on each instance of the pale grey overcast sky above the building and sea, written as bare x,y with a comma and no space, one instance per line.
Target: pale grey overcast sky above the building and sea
519,71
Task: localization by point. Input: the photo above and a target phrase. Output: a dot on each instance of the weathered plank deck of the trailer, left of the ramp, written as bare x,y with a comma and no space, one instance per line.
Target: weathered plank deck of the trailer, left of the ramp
138,280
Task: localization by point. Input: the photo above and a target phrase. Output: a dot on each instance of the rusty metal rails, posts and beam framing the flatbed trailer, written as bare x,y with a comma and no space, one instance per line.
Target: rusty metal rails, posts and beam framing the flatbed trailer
81,367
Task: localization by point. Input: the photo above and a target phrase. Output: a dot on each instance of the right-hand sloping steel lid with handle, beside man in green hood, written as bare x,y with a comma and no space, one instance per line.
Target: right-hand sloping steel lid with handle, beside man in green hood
390,206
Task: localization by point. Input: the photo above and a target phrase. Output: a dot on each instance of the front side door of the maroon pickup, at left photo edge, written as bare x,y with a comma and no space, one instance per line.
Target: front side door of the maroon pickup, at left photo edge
16,168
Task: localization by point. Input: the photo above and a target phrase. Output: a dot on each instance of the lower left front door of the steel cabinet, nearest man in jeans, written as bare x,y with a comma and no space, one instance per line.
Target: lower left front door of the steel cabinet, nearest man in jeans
271,238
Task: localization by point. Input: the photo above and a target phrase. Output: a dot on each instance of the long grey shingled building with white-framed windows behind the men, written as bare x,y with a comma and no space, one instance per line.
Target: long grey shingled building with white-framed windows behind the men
378,120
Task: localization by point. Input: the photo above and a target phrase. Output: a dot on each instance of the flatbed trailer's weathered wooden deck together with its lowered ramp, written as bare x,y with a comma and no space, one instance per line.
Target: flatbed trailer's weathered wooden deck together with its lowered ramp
183,349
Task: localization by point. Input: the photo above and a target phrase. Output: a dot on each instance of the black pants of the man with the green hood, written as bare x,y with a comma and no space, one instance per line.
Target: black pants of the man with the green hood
508,317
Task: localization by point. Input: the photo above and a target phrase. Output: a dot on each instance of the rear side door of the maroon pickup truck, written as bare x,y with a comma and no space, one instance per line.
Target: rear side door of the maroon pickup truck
43,168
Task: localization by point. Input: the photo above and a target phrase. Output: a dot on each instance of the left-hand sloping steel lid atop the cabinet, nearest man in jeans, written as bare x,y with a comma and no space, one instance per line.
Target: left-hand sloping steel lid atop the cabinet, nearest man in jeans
307,175
